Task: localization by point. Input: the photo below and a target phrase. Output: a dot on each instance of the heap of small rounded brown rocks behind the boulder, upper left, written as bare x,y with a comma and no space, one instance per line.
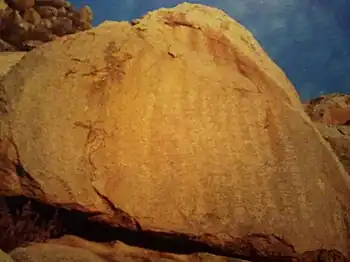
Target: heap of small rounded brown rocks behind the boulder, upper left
26,24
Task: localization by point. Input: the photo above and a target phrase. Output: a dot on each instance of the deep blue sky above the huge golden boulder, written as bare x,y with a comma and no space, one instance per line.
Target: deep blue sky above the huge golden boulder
308,39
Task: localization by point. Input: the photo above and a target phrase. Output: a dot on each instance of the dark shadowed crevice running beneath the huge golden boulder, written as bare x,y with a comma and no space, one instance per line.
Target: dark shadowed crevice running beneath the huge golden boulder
254,247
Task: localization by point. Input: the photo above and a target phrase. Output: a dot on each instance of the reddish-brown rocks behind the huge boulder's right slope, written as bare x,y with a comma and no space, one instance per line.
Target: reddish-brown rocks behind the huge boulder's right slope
331,114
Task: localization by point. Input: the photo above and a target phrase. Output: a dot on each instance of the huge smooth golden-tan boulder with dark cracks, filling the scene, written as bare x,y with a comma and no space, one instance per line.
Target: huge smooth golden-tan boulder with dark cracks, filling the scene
177,124
